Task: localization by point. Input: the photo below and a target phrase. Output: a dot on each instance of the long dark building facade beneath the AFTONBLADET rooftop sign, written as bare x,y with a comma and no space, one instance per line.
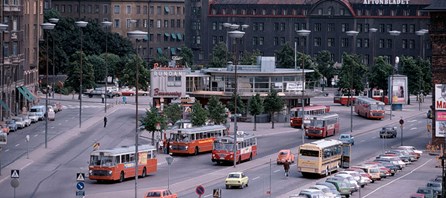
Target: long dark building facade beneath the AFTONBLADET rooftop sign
274,23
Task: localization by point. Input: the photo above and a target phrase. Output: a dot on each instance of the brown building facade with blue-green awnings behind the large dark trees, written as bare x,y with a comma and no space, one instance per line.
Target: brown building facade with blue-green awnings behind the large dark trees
163,20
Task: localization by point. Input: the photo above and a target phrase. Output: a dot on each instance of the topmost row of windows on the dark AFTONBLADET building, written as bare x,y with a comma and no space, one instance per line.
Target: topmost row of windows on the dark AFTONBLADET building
321,12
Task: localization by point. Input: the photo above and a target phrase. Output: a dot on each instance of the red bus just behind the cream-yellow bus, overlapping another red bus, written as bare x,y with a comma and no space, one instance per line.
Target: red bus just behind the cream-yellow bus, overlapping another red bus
323,125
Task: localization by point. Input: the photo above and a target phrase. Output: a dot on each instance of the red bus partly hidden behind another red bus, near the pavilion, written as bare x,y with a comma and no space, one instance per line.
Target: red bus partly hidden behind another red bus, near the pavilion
312,110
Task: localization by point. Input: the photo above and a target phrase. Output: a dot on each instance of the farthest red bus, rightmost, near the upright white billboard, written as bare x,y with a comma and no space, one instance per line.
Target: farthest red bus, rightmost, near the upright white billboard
369,108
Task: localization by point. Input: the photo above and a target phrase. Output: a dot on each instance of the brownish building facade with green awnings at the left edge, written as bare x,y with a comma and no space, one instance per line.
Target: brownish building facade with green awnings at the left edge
19,61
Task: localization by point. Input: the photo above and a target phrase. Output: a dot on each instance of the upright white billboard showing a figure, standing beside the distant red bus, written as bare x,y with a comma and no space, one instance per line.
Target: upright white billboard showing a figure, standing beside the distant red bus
398,88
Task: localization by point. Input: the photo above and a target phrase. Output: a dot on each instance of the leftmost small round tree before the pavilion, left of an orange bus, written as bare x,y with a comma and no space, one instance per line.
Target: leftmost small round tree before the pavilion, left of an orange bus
151,120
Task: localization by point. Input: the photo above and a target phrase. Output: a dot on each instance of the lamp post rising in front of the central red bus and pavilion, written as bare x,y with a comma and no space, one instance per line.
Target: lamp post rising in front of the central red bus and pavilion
236,34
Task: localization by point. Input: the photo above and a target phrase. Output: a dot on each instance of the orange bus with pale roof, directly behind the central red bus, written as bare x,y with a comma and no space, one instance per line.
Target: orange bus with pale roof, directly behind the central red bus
195,140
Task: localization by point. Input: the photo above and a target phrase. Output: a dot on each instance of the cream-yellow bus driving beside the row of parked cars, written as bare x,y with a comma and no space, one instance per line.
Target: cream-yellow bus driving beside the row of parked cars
320,157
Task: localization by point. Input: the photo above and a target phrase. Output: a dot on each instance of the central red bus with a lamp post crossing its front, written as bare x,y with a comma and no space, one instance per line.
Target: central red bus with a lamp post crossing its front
224,148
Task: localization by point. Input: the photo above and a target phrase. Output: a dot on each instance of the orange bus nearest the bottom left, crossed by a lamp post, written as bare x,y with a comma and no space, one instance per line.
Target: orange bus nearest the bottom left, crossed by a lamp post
117,164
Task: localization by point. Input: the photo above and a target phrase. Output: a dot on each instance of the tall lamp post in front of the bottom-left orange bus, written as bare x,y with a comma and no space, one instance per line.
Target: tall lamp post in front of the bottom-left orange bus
137,35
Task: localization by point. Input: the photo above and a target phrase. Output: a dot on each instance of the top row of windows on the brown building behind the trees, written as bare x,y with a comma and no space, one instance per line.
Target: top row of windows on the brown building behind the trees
95,9
